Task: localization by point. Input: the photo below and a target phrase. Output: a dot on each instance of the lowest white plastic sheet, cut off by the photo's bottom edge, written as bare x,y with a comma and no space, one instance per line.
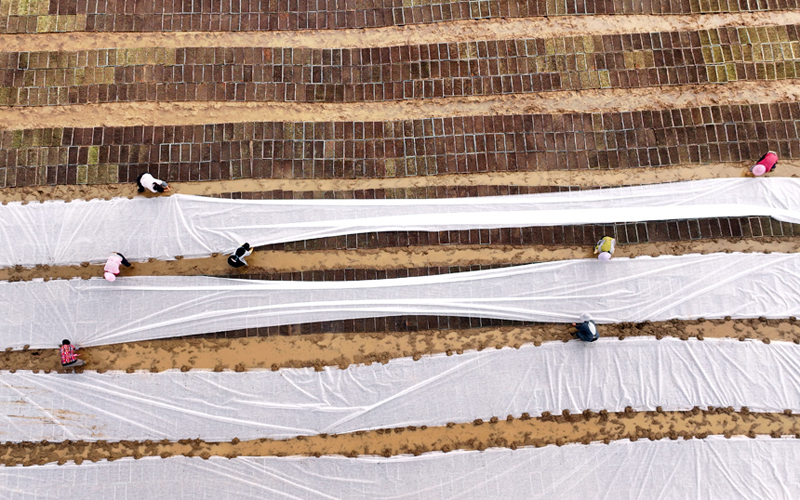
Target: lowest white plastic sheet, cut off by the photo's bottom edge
714,467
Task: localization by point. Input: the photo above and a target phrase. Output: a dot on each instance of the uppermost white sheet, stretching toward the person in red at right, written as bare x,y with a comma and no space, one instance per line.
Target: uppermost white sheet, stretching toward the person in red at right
58,233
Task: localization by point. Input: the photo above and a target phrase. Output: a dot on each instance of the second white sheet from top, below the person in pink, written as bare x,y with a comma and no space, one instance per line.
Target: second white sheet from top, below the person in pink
94,312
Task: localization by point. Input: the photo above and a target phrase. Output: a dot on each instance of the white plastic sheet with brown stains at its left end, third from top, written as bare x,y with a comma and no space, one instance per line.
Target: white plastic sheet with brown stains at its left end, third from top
642,373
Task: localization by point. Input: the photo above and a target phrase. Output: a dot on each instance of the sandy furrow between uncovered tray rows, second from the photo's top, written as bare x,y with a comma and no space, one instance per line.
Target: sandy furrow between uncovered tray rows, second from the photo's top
585,101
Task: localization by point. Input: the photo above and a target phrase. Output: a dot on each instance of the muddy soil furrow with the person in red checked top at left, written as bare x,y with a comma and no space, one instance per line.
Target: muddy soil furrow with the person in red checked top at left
341,350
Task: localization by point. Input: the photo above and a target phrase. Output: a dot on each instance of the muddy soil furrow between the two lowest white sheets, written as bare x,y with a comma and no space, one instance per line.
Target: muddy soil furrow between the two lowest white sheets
499,431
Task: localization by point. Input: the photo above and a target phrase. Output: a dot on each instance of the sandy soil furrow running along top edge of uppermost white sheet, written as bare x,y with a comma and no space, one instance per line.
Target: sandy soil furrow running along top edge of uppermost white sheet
615,177
